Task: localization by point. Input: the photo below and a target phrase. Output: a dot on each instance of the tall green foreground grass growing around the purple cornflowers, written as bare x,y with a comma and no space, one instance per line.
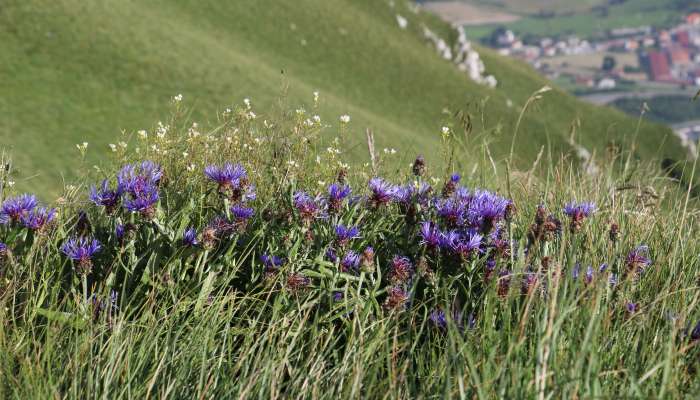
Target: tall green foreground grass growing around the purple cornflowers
157,316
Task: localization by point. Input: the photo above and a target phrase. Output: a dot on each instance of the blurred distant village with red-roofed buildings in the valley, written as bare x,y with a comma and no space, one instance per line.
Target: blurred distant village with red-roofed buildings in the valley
625,55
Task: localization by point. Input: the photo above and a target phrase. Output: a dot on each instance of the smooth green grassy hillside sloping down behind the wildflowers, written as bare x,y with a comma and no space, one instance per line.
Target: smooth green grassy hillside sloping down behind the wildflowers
74,71
